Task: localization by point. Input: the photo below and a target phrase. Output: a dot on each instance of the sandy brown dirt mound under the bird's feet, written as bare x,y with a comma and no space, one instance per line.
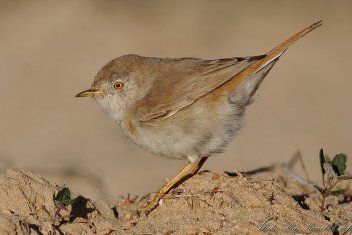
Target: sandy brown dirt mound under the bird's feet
209,203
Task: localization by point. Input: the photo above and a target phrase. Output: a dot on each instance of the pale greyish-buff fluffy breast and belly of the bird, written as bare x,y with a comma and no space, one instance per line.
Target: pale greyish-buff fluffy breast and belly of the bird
201,129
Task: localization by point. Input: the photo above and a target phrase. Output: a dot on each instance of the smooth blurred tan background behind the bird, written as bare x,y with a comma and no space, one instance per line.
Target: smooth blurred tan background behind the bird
51,50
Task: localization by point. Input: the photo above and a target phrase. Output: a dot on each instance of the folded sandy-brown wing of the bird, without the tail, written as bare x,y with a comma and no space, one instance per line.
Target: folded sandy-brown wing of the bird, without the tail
186,81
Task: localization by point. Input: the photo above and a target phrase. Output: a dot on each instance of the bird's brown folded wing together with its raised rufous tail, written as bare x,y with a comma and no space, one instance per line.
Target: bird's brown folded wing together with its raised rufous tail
181,89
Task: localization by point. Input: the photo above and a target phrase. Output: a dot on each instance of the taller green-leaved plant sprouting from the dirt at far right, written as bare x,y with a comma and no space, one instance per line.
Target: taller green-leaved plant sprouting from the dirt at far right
333,172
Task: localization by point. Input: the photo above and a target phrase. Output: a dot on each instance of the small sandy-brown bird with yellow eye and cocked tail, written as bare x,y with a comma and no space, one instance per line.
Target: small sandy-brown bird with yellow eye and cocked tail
184,108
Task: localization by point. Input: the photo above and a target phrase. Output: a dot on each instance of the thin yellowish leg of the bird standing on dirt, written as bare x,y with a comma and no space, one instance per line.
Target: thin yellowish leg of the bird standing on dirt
187,172
